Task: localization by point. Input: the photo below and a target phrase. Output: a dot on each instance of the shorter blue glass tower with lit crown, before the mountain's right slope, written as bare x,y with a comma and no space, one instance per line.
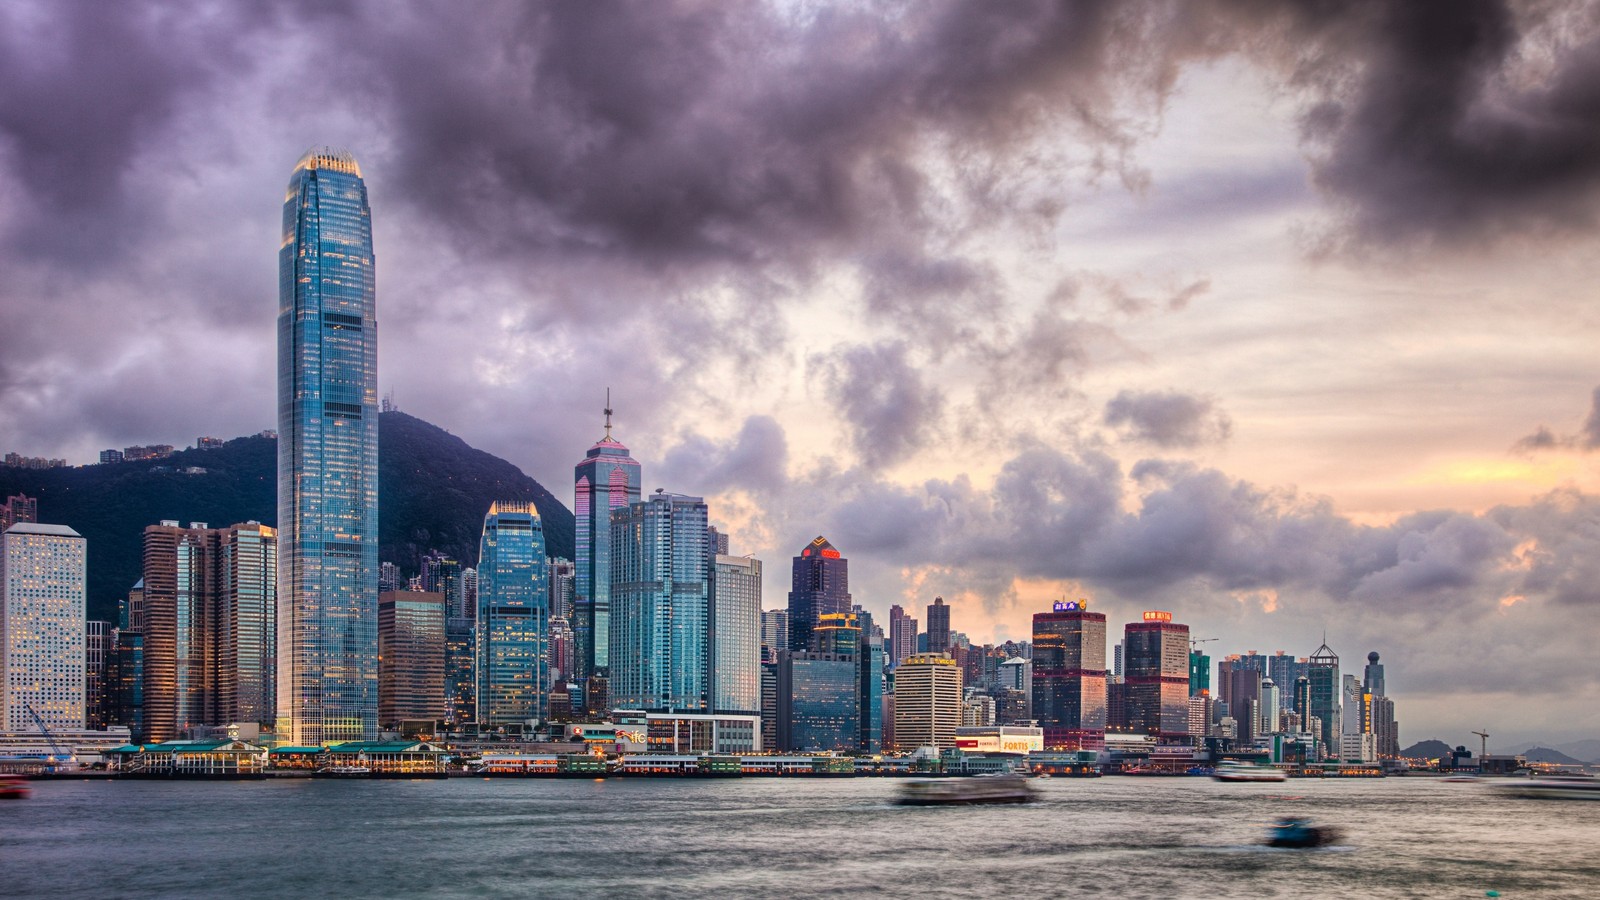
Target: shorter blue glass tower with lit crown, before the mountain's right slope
514,609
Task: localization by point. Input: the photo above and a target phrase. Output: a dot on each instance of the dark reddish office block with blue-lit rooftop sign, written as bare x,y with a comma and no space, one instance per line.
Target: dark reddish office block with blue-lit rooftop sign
1070,677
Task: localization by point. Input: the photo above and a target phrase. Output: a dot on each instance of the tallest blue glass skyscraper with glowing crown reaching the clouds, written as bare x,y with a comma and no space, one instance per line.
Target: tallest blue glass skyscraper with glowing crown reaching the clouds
327,457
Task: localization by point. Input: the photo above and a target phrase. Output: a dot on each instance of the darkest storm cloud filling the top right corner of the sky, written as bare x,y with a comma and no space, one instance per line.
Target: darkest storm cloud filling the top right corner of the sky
1447,121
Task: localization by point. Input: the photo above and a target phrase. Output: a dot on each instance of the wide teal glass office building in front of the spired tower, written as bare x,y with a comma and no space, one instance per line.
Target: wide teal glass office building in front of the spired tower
660,605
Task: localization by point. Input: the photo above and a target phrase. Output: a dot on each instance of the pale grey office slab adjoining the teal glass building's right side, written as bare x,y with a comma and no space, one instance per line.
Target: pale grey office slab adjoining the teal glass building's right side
734,677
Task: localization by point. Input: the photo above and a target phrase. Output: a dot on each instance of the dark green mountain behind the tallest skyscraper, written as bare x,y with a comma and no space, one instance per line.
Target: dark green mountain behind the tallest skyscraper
433,494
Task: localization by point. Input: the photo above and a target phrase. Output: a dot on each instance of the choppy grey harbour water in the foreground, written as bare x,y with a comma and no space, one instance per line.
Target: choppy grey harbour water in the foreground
1126,838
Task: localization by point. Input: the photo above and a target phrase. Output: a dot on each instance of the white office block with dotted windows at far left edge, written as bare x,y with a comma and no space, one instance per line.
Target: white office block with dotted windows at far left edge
42,614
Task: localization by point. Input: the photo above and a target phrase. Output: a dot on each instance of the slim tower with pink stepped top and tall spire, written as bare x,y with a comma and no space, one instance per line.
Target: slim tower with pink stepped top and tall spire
607,480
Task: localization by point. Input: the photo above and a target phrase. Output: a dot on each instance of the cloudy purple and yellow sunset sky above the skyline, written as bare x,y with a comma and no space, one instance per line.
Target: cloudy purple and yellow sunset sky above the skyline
1273,315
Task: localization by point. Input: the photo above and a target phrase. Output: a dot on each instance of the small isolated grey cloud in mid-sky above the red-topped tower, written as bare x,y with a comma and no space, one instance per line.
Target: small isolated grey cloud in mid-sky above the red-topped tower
887,404
